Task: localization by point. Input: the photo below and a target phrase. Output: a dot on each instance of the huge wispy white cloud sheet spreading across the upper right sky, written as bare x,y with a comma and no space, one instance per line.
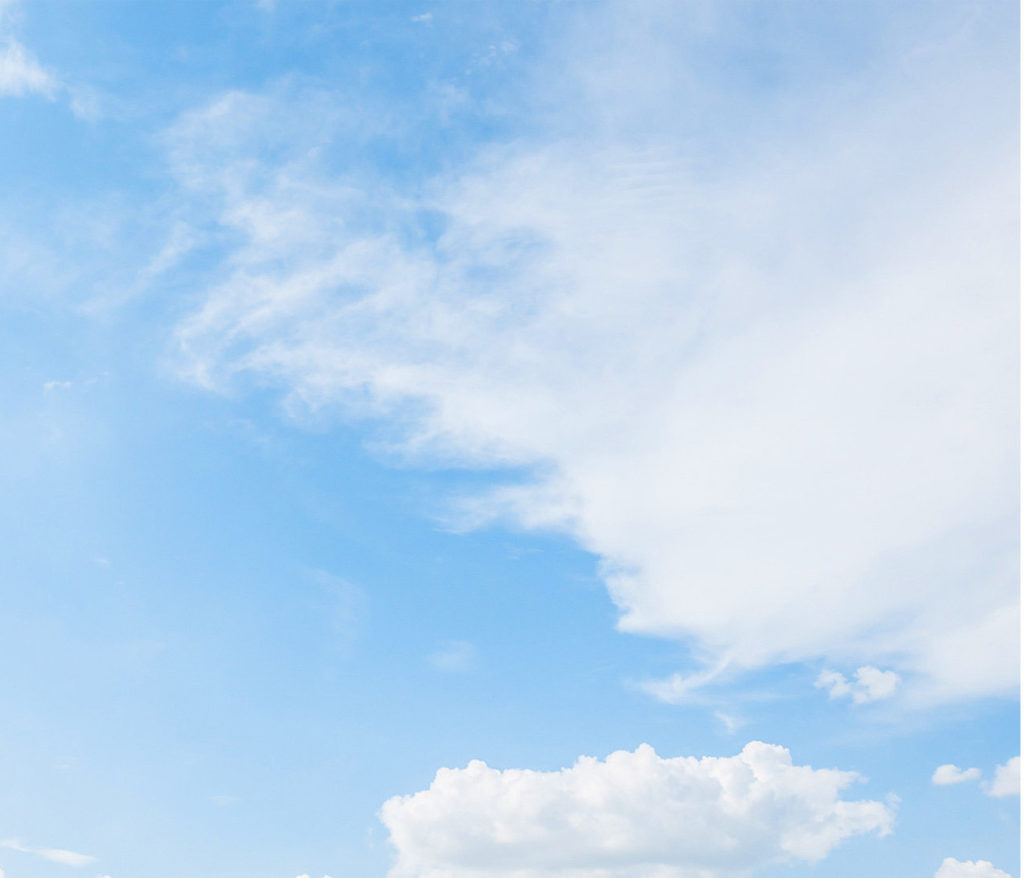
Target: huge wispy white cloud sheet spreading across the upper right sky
766,379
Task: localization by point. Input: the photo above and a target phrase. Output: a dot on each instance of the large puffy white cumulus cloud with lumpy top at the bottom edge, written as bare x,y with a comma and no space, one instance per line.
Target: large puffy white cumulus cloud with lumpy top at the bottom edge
632,815
